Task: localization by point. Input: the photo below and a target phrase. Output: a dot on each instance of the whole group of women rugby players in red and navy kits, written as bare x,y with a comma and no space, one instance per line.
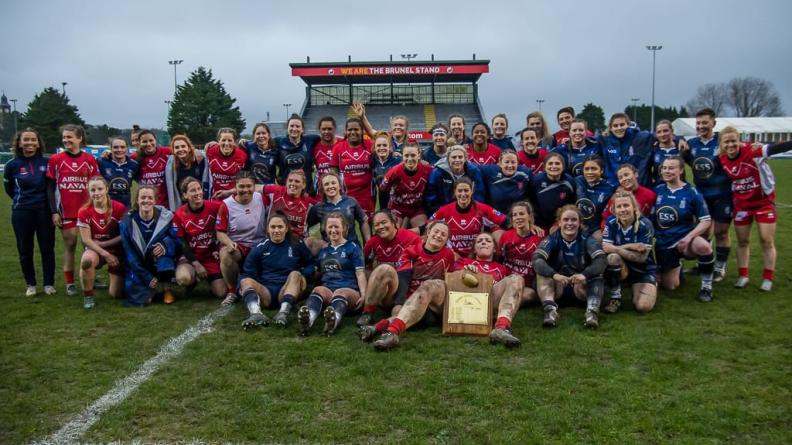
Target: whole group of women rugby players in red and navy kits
555,217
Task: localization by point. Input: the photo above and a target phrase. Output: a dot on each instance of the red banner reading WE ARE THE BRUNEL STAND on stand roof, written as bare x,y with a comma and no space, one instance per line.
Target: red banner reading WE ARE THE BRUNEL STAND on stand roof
390,70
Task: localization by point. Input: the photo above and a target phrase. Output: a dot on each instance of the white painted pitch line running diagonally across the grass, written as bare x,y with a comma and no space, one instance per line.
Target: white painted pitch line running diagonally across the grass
72,431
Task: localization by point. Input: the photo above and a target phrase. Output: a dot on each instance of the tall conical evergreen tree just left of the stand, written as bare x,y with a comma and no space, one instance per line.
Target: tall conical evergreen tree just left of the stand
201,107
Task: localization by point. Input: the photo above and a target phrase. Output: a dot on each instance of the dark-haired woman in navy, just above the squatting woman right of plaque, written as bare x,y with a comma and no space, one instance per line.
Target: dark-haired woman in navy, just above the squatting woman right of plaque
551,190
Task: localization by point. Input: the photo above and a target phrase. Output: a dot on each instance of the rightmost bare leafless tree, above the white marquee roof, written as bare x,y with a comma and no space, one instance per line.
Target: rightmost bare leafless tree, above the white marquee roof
751,97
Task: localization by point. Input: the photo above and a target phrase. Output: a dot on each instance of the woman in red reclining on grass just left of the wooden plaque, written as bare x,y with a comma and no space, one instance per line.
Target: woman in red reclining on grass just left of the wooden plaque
419,276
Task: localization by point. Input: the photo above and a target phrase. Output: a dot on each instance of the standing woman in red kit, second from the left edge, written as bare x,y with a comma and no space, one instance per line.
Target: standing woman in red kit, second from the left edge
68,173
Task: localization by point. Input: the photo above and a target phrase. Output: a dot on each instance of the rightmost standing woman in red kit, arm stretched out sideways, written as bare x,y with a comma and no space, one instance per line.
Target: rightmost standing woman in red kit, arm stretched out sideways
753,193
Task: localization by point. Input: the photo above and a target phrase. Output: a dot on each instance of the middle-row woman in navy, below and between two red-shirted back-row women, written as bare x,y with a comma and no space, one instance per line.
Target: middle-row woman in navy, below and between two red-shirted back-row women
507,182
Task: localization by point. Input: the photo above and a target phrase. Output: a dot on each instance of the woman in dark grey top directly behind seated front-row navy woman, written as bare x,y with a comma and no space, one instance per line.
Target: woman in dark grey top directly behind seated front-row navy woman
334,200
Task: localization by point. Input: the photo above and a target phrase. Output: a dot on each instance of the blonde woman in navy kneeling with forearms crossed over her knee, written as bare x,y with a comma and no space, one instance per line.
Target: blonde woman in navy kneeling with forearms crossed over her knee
627,239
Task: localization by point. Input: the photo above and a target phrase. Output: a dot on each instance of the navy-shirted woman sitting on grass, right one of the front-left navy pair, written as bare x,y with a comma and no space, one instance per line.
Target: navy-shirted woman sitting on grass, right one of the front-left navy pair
342,278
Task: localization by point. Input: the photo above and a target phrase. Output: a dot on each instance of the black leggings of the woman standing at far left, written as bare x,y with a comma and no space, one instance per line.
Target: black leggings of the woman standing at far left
29,224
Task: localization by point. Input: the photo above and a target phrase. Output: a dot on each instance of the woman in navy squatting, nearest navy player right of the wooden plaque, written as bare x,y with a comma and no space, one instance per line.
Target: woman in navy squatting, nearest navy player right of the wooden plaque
569,262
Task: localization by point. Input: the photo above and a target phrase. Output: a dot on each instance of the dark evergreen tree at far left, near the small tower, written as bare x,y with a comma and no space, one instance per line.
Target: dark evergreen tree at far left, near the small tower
46,113
